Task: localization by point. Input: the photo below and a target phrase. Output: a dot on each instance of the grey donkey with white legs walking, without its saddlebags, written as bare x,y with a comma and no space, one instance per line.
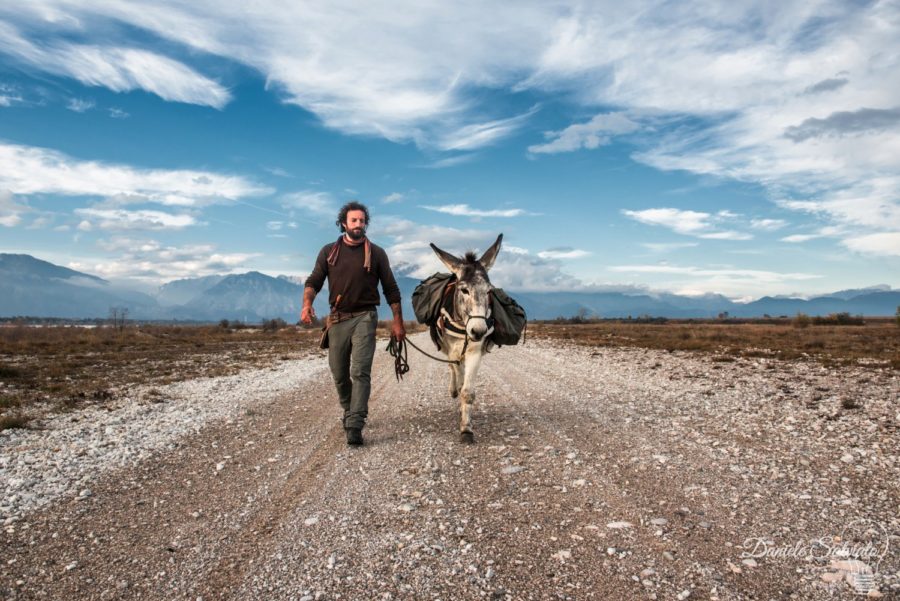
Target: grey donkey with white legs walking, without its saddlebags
465,326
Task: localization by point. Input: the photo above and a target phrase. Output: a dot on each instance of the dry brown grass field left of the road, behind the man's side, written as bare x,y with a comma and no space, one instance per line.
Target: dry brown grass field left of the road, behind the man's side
64,368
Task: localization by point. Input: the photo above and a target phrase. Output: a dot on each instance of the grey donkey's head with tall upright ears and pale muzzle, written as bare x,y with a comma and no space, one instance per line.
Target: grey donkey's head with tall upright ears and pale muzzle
472,298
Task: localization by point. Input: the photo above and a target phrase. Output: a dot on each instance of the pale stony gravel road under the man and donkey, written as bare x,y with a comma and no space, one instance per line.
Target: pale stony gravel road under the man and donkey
596,474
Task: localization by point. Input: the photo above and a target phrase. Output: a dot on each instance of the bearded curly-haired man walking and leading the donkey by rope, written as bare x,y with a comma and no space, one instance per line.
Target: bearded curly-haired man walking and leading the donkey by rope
353,266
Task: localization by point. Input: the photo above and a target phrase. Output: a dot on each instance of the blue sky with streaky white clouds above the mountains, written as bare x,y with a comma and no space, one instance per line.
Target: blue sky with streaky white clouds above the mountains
738,148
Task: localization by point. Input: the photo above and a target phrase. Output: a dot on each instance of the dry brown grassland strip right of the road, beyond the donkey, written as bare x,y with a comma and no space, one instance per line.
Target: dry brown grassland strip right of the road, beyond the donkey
875,344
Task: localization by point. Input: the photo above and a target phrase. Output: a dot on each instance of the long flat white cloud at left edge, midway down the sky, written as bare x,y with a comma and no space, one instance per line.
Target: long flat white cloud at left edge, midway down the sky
28,170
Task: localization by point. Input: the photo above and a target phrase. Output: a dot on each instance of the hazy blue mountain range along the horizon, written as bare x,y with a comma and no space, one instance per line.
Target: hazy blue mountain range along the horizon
36,288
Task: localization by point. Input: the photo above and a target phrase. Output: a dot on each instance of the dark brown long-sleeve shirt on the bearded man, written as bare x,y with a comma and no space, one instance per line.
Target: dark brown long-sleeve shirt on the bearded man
348,277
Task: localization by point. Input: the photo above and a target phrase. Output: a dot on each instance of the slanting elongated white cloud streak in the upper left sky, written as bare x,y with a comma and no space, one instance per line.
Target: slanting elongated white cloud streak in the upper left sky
120,69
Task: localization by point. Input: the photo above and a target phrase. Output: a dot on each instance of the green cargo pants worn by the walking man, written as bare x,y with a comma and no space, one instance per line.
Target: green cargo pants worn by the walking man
351,348
